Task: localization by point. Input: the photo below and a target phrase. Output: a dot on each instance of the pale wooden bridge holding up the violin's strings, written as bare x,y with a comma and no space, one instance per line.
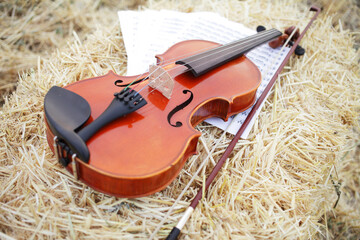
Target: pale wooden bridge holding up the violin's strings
161,80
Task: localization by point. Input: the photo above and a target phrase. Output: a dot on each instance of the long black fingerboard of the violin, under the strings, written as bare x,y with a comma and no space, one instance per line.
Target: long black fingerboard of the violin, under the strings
203,62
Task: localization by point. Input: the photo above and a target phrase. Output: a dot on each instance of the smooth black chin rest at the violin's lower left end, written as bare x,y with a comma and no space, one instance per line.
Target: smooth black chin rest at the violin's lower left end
65,113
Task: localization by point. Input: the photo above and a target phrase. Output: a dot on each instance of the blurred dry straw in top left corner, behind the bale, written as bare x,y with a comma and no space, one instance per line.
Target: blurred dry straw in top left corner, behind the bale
32,29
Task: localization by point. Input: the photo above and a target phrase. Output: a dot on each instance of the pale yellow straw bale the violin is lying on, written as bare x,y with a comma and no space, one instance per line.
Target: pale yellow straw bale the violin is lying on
277,184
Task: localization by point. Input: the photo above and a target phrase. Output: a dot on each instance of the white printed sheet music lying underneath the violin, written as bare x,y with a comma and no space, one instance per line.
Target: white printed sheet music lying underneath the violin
148,33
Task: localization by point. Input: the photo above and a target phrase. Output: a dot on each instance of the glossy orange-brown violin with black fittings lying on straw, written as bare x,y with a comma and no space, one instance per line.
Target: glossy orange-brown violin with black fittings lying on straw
129,136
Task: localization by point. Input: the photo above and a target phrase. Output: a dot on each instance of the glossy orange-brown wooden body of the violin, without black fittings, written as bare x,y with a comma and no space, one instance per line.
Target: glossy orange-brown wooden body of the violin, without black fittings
142,152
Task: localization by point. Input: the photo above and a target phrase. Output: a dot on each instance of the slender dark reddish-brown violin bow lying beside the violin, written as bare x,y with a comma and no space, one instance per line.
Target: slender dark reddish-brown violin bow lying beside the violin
177,229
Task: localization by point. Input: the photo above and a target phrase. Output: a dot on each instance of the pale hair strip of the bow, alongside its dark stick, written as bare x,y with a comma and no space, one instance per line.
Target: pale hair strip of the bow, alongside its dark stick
208,155
